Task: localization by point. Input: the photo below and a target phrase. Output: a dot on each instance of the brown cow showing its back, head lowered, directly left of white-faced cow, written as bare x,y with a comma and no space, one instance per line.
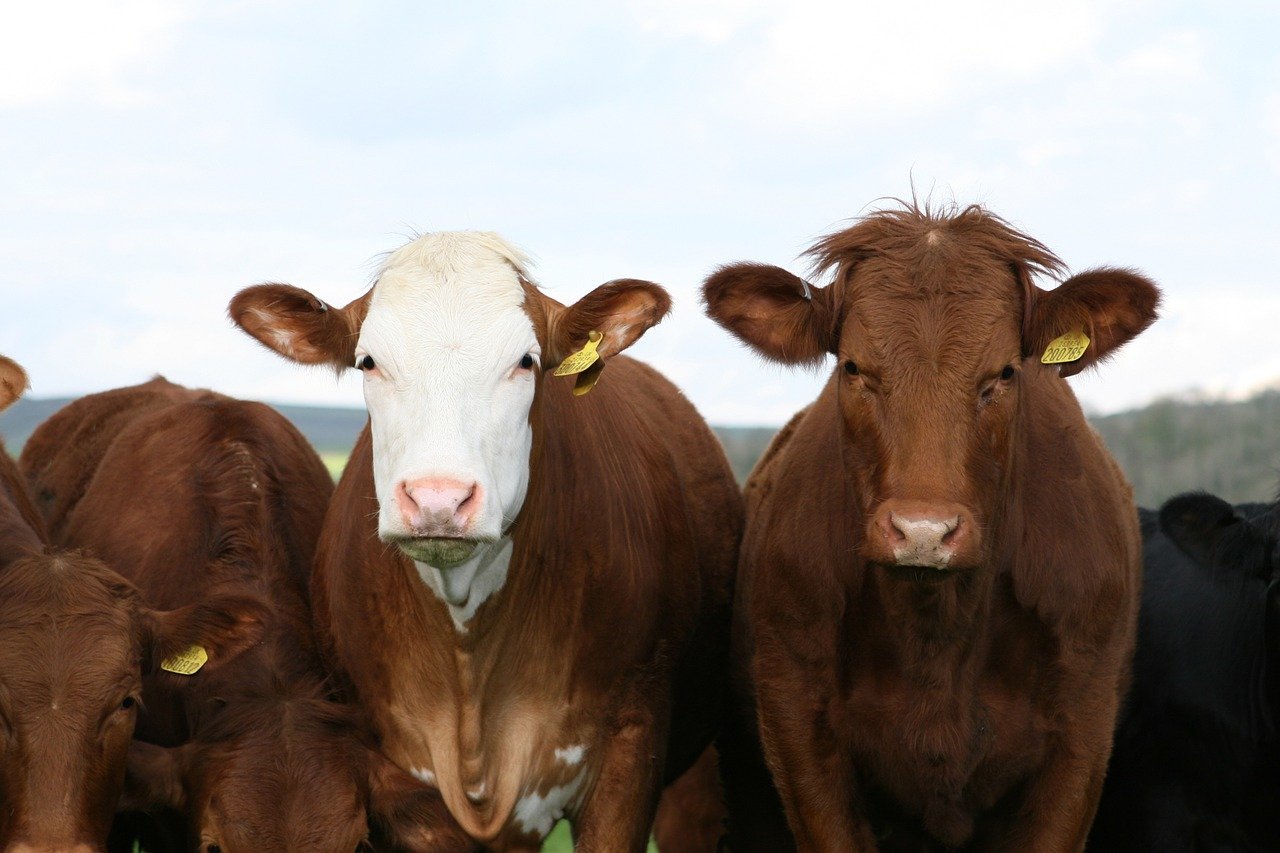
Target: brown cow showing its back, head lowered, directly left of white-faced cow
194,495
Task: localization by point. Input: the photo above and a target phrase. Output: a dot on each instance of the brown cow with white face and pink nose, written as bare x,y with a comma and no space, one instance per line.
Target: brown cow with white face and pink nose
525,581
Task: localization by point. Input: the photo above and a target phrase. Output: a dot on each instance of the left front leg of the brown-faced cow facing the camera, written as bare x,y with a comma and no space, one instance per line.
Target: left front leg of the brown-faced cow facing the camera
813,776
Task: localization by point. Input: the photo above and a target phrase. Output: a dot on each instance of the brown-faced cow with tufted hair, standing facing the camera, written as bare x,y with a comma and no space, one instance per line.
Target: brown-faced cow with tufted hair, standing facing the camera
940,576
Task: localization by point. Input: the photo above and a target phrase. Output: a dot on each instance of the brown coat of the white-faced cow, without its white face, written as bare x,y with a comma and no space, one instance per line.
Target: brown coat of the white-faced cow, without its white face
611,630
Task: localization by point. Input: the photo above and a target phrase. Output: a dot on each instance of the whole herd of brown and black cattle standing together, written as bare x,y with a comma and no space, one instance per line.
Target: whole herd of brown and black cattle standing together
934,621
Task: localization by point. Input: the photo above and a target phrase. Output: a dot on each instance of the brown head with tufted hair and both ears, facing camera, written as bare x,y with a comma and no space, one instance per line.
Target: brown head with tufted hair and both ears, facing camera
935,325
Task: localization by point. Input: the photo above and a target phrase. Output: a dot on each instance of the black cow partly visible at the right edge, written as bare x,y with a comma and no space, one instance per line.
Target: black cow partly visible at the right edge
1196,764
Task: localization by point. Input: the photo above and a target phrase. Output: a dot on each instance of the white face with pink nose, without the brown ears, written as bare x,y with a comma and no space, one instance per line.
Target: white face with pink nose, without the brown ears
452,382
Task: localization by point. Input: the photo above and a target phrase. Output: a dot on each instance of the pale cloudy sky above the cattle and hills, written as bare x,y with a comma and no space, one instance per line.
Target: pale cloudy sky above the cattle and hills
159,156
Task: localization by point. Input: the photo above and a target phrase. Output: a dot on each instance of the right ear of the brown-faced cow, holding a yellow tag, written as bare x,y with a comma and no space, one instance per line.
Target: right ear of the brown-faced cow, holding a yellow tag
1112,307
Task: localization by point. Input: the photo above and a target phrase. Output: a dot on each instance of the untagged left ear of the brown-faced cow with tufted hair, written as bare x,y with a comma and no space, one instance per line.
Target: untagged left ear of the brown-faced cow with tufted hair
776,313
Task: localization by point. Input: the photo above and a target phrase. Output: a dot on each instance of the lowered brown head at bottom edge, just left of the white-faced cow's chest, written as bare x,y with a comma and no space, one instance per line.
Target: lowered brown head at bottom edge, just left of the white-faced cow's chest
290,777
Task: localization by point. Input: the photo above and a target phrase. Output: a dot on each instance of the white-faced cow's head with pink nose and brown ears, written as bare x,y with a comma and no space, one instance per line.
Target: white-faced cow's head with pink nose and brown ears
452,341
